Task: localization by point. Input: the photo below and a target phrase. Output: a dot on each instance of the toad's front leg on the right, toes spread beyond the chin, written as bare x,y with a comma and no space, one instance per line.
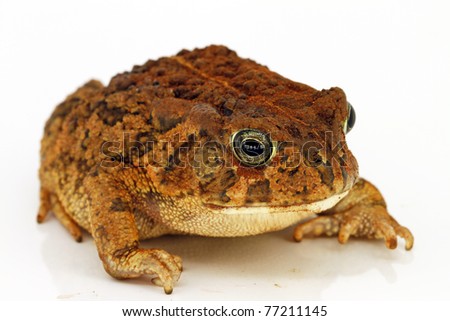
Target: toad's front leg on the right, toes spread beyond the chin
362,213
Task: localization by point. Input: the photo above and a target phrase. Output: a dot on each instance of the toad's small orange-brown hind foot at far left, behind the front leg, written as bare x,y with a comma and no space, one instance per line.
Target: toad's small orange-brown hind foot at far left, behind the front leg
50,203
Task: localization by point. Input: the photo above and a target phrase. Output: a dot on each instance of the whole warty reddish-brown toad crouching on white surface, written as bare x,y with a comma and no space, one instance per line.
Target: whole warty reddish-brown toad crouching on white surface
206,143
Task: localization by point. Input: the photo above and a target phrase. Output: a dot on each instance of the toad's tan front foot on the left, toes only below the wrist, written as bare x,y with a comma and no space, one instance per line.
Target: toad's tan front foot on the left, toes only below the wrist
164,268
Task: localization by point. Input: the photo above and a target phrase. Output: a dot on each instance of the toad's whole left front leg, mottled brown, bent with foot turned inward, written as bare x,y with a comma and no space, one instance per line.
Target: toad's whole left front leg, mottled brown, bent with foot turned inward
113,226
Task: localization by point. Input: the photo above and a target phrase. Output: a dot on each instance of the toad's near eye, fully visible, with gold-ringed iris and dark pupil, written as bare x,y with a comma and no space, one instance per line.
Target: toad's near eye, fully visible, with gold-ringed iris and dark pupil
252,147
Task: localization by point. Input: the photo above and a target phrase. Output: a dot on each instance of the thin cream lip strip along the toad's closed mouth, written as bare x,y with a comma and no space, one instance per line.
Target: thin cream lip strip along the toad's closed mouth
266,208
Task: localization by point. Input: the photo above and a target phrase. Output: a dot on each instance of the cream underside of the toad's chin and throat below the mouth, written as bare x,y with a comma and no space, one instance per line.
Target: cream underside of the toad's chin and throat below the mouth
251,220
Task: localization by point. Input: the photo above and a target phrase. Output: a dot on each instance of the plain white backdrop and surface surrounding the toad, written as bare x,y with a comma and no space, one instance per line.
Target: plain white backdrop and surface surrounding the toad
391,57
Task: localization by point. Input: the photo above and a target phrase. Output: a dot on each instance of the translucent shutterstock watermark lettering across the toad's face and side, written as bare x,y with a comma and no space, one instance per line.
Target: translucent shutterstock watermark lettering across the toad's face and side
251,151
